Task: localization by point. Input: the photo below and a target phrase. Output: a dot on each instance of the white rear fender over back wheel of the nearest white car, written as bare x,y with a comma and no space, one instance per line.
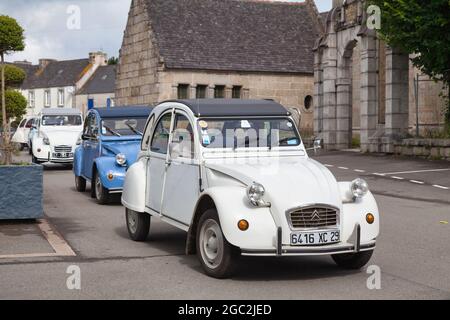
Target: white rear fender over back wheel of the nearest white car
134,188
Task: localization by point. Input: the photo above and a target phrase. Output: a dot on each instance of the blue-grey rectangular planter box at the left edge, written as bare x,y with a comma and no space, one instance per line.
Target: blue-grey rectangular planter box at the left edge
21,192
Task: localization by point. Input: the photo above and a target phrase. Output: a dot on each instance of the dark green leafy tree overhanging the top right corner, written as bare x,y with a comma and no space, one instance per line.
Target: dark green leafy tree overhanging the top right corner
422,28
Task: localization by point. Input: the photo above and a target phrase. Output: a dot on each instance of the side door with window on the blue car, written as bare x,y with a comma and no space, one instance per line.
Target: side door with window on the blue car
90,144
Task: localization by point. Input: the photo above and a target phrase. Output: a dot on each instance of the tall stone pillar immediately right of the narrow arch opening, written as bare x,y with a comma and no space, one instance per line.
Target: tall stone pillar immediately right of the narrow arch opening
368,93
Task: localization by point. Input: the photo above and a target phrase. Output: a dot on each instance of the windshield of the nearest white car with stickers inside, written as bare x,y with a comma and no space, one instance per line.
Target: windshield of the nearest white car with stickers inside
248,133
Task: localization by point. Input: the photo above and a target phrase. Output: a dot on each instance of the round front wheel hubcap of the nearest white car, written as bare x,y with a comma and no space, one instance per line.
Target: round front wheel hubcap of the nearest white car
211,243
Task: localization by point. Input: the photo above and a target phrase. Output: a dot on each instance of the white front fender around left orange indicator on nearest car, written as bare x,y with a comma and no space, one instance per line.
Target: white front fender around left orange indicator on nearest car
232,205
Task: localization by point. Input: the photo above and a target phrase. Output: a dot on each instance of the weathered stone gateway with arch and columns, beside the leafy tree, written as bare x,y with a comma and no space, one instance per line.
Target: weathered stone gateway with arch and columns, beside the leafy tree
365,89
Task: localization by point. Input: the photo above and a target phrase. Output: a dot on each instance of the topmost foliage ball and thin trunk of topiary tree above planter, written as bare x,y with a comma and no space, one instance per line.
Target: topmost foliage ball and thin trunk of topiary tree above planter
11,40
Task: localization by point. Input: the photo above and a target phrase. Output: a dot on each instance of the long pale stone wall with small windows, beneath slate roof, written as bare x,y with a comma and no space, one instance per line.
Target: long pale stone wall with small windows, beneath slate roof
288,89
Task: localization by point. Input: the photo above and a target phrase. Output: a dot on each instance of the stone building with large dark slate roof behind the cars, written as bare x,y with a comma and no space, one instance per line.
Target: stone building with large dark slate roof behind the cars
219,49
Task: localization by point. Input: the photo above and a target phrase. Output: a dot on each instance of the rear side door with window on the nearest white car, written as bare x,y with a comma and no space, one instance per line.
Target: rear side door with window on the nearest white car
157,164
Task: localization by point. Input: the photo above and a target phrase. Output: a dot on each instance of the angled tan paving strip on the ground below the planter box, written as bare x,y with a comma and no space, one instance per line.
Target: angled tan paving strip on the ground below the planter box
60,246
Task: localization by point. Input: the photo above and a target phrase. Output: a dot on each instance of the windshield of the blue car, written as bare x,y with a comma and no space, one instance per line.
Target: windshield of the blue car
123,126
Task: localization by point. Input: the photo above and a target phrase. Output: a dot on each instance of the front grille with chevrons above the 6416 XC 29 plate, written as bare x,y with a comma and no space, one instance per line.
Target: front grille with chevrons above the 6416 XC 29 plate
313,217
